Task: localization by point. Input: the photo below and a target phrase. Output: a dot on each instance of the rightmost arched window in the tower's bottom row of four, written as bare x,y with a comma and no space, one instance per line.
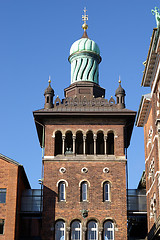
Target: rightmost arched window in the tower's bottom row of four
108,230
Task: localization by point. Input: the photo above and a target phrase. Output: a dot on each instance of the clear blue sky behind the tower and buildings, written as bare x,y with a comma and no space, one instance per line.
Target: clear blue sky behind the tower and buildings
35,39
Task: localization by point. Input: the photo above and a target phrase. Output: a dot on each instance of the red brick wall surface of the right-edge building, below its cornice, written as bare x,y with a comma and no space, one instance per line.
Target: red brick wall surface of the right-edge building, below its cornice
151,153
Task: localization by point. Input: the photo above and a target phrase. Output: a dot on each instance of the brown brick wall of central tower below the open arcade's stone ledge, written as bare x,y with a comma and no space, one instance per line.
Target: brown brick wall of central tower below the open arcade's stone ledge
99,210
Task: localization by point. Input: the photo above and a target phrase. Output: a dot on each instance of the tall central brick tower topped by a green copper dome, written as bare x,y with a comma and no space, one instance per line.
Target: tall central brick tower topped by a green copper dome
84,137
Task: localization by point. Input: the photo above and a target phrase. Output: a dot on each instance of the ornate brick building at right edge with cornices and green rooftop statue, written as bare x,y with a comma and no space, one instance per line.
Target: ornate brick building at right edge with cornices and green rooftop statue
149,118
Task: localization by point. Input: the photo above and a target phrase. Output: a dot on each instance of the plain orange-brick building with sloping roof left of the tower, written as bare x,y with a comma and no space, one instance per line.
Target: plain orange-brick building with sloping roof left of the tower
13,181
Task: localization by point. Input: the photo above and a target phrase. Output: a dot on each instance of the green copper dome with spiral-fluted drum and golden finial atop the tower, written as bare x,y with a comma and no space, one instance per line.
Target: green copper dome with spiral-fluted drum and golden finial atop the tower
84,57
